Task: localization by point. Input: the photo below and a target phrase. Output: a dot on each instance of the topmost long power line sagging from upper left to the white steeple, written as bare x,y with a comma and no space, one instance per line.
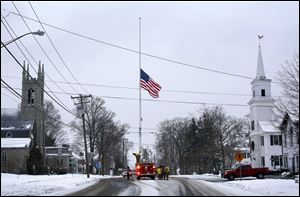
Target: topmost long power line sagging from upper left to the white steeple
134,51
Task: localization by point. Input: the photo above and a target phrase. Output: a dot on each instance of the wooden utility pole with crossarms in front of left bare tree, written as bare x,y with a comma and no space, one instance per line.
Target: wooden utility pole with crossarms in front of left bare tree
81,97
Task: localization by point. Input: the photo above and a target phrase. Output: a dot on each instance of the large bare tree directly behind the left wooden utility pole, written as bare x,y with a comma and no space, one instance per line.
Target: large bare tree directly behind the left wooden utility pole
105,135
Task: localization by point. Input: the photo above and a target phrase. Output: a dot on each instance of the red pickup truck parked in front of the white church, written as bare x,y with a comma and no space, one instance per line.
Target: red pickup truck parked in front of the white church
246,170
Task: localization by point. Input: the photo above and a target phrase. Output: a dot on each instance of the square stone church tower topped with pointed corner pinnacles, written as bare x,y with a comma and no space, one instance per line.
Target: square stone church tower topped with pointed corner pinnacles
33,103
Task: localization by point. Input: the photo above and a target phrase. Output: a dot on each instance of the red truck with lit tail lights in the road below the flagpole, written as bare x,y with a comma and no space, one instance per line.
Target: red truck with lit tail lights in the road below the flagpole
145,169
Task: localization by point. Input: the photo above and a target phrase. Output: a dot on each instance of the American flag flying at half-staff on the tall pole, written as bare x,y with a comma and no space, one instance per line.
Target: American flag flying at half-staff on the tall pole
149,84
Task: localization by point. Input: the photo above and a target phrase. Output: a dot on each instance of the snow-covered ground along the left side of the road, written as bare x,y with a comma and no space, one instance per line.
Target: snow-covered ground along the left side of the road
41,185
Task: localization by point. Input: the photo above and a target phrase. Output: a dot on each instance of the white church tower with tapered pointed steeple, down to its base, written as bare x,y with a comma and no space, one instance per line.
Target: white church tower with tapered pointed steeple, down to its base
264,135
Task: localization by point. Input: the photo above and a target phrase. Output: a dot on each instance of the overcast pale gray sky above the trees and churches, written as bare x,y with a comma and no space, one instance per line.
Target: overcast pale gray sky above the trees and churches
220,36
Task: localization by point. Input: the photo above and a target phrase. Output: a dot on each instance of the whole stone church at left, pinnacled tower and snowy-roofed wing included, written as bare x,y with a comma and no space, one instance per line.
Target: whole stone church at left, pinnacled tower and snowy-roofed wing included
19,134
